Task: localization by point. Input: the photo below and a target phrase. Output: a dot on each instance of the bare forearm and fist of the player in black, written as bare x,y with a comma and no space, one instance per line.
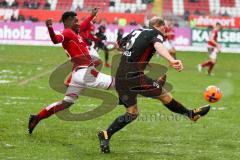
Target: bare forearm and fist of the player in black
176,64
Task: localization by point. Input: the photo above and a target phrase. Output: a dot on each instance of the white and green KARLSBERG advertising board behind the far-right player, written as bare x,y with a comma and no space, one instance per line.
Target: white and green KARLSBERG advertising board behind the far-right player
227,38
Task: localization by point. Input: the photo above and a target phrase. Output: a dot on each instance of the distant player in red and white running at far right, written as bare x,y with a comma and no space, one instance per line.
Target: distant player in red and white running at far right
213,49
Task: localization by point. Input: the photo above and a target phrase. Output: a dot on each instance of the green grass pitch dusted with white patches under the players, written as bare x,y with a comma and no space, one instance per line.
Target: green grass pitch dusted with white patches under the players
157,134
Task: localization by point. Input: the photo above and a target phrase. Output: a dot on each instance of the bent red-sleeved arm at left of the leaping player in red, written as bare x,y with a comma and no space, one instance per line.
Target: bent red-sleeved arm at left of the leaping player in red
55,38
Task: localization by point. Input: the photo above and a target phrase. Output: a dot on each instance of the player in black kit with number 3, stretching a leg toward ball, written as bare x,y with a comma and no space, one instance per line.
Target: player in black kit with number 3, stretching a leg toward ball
138,48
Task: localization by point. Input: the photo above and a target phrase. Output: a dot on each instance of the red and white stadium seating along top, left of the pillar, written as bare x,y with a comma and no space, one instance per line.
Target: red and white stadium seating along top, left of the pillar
122,6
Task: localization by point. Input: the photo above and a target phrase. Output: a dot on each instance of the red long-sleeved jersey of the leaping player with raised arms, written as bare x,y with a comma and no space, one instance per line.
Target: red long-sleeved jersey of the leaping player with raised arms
75,47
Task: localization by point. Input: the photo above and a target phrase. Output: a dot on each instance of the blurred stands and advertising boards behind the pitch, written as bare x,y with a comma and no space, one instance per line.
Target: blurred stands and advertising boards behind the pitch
21,21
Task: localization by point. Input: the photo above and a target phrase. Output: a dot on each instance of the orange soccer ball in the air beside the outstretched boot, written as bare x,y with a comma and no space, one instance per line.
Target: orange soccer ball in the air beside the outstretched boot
212,94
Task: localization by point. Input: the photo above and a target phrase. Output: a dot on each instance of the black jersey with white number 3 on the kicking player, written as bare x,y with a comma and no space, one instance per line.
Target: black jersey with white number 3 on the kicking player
138,49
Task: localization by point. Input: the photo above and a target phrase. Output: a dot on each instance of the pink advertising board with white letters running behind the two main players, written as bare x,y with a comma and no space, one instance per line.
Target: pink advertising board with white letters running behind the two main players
37,33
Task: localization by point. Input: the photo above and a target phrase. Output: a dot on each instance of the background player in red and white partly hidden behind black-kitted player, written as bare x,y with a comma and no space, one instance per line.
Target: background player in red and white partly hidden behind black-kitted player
169,42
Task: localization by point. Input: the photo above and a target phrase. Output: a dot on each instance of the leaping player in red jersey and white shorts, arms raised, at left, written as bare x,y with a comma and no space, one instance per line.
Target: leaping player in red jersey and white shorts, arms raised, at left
83,74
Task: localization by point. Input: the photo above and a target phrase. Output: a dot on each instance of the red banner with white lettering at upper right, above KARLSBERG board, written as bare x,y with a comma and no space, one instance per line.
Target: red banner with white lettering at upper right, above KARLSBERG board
206,21
